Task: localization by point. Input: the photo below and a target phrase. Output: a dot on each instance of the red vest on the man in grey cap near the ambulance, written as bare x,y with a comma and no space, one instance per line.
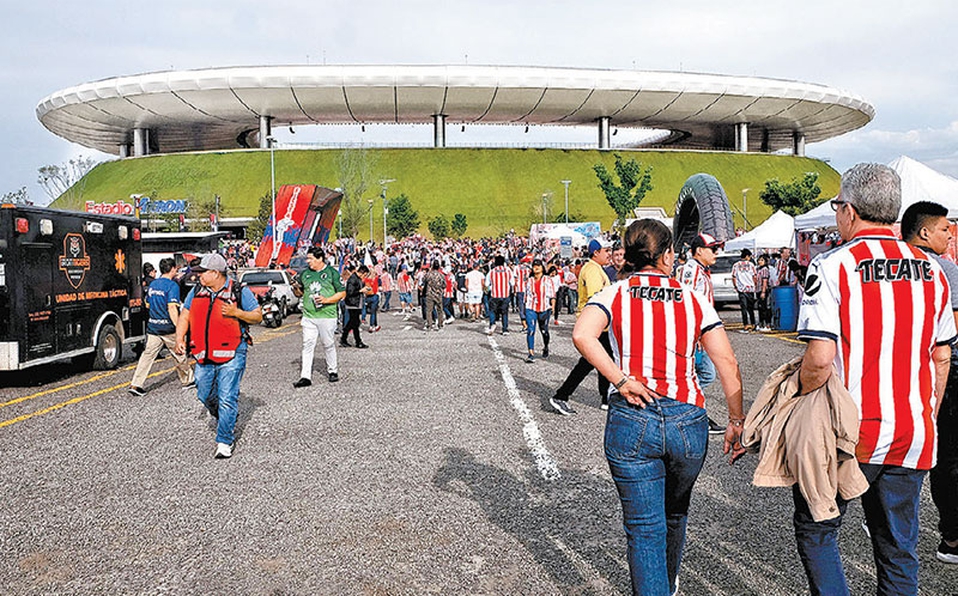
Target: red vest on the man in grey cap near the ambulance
214,338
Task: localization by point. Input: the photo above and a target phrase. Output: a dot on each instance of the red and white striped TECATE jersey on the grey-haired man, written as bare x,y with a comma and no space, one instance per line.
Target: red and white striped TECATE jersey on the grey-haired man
886,304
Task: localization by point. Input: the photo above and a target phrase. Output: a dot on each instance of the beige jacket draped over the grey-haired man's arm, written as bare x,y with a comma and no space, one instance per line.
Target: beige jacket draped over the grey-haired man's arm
808,439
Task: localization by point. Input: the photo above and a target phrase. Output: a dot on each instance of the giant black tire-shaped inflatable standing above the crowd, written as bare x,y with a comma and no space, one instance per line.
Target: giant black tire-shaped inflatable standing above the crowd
702,207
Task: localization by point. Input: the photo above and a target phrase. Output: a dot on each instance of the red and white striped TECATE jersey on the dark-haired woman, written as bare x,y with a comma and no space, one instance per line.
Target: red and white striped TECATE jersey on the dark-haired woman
654,324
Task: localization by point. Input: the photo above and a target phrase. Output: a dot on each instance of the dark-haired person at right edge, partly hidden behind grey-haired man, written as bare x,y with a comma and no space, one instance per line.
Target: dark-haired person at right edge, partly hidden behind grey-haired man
925,225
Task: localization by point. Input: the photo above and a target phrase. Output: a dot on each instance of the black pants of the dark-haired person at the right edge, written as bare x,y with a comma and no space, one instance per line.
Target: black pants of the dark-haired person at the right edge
944,476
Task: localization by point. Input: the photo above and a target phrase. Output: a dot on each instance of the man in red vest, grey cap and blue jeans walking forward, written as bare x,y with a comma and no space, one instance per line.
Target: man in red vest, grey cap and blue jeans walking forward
218,312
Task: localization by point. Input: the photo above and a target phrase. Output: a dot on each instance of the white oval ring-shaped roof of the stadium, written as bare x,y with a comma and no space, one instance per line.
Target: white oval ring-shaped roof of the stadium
219,108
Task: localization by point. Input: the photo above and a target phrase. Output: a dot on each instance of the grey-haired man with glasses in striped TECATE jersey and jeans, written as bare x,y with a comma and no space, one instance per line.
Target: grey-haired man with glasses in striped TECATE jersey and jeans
879,310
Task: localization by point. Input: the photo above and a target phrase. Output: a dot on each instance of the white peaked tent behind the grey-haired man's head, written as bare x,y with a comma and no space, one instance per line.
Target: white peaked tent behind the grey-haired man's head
918,183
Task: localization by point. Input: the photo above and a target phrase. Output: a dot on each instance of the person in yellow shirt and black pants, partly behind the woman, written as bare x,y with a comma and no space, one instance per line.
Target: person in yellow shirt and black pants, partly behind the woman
591,279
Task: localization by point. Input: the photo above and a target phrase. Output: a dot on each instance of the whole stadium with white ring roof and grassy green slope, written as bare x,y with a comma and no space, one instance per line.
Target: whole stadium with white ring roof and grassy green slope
191,135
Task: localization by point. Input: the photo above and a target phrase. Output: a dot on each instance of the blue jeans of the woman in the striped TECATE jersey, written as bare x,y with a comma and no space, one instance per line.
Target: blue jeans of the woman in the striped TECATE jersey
655,454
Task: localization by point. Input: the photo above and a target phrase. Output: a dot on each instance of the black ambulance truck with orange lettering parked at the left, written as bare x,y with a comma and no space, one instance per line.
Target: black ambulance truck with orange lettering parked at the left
69,287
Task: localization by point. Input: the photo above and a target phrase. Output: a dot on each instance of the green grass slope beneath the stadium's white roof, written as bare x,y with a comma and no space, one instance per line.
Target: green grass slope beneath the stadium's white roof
496,189
